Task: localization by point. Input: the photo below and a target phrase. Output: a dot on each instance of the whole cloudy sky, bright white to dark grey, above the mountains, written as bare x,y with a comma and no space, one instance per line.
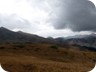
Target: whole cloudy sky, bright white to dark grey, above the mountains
55,18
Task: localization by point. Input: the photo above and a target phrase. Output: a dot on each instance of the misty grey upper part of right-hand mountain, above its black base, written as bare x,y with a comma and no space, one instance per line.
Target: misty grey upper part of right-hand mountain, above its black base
83,39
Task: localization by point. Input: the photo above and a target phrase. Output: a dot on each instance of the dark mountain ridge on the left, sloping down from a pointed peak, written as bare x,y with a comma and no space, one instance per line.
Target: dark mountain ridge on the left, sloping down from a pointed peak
7,35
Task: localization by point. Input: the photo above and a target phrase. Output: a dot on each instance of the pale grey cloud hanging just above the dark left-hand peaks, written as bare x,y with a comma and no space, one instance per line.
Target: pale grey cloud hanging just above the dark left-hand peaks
13,21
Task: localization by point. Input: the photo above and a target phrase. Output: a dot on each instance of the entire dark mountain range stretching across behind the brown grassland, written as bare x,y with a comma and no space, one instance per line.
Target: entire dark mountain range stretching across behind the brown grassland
85,42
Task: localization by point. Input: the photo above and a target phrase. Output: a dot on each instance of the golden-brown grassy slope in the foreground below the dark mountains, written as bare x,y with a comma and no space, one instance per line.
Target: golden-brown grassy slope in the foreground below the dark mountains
45,58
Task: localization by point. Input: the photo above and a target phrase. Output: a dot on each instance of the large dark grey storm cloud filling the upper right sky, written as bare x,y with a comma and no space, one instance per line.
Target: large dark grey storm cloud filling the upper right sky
78,15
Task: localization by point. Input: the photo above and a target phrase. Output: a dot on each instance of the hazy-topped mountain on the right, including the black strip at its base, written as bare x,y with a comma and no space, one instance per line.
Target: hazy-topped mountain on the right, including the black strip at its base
83,41
